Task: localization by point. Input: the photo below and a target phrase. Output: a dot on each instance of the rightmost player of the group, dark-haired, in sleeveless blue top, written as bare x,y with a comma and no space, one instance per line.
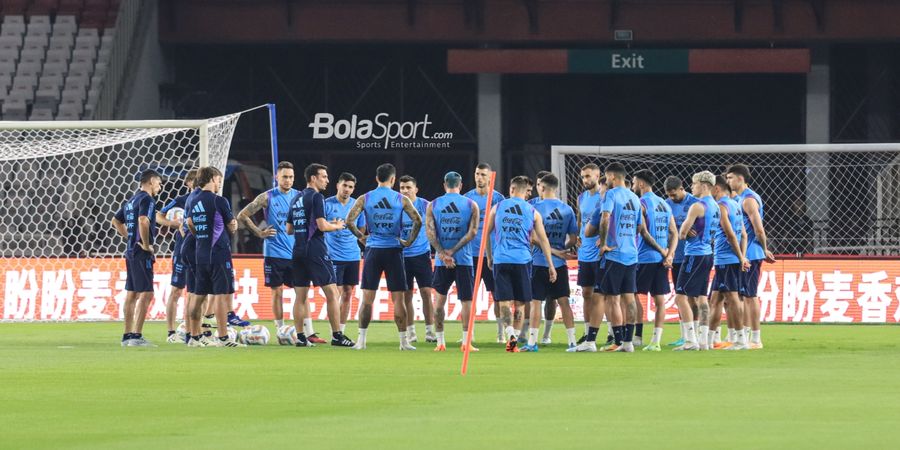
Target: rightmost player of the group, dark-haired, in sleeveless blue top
738,176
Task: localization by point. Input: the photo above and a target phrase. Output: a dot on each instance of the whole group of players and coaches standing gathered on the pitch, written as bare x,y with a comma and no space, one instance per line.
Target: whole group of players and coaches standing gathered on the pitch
313,240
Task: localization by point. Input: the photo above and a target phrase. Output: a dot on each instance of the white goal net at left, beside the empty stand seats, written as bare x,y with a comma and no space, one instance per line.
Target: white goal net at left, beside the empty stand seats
60,185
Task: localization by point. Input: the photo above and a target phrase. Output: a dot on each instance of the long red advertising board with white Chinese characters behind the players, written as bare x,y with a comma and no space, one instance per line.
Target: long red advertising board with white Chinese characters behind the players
90,289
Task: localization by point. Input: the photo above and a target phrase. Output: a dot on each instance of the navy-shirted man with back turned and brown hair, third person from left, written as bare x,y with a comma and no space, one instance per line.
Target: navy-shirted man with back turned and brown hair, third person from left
212,223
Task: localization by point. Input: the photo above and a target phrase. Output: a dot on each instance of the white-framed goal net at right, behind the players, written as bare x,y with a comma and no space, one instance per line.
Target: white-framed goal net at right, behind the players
831,199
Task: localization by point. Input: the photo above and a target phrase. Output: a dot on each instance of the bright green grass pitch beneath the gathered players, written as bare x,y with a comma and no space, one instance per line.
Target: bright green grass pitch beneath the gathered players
72,386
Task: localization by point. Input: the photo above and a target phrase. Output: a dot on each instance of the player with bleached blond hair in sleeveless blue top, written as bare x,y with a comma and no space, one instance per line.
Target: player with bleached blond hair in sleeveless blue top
699,229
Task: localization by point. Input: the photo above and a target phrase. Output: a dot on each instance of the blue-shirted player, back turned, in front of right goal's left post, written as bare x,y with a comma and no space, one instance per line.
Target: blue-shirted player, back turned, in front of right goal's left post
562,233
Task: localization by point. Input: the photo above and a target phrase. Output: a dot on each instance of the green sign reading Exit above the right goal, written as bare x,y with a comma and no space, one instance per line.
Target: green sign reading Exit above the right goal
628,61
